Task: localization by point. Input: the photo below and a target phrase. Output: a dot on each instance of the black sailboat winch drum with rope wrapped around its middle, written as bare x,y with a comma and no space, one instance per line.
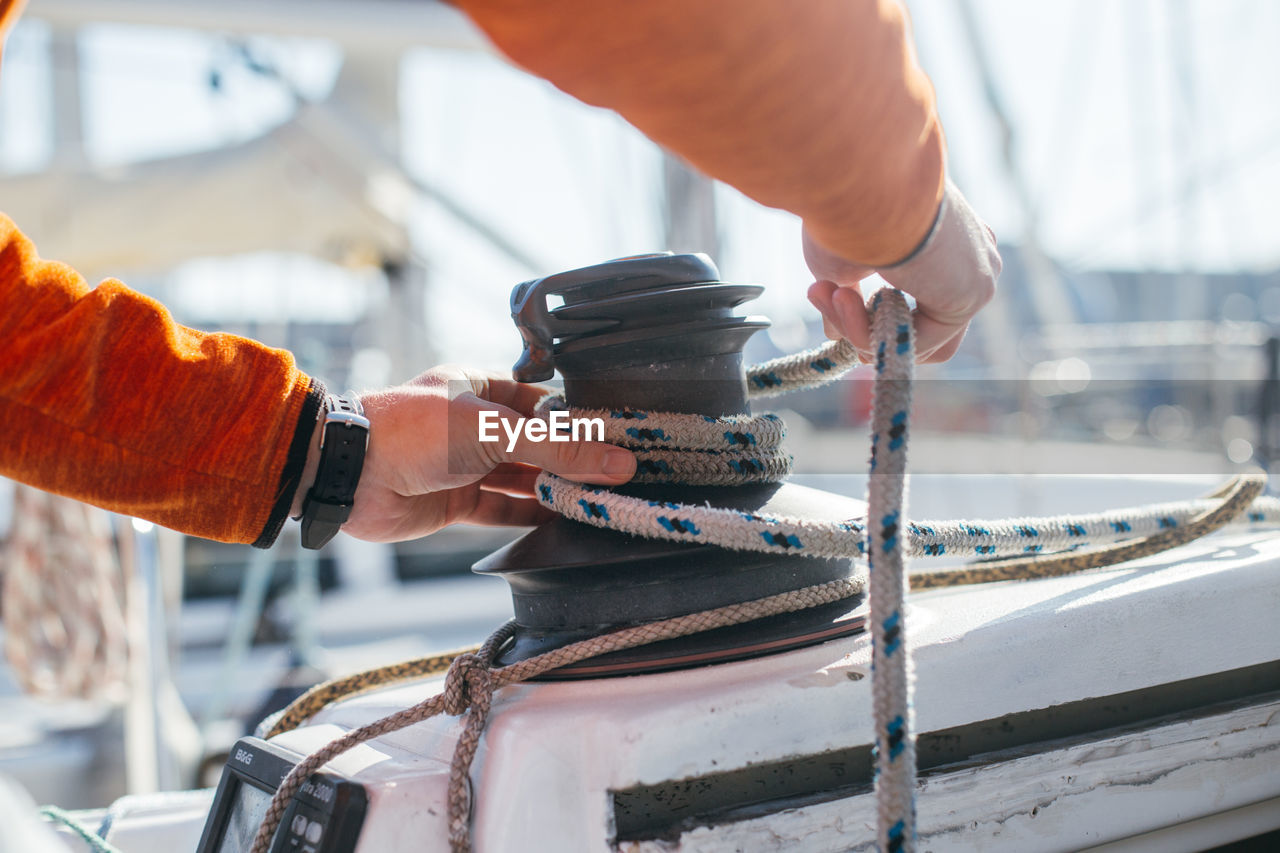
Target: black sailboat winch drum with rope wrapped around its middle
656,332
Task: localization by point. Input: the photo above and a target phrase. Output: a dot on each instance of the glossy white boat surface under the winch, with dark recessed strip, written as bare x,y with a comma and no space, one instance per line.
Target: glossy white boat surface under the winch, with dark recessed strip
1055,715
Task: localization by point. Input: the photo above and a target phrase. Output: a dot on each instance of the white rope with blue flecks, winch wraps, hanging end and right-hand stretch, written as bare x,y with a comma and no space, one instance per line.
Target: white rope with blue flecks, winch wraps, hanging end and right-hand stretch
700,450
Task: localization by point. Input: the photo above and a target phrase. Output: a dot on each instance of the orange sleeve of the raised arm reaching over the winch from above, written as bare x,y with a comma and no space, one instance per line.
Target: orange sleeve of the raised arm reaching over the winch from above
816,107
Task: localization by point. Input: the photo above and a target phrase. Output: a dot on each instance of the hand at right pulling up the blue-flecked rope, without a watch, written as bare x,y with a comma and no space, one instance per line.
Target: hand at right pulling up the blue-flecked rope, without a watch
952,279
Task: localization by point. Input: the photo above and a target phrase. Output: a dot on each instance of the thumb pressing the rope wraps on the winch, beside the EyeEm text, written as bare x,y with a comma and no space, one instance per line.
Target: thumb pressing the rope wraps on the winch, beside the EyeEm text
504,435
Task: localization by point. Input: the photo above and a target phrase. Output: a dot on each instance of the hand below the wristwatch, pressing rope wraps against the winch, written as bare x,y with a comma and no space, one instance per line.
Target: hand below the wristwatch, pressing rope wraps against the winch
426,467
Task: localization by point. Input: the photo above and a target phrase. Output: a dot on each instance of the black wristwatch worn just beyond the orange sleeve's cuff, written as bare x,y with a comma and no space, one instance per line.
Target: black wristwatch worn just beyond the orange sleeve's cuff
344,443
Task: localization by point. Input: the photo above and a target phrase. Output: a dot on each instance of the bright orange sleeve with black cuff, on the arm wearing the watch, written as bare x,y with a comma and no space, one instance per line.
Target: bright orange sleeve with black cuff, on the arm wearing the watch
109,402
